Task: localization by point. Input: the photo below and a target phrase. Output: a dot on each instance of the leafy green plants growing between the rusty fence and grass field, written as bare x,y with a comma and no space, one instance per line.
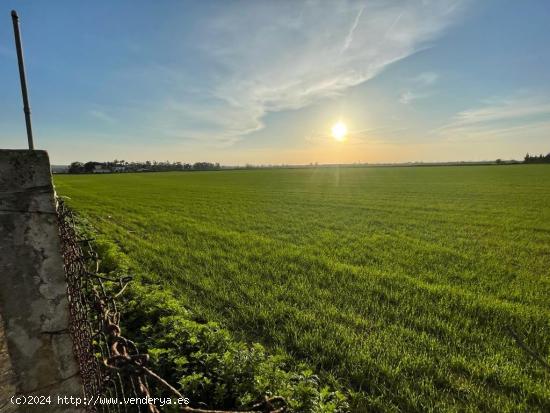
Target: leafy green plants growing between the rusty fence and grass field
210,367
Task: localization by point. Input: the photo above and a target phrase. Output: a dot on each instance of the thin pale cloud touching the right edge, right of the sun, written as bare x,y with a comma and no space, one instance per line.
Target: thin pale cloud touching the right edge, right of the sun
500,118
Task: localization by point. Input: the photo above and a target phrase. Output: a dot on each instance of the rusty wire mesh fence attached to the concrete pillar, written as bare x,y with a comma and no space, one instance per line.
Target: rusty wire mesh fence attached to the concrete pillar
111,367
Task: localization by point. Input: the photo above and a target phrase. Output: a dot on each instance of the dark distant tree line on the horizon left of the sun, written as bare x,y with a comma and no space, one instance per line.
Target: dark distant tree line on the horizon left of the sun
147,166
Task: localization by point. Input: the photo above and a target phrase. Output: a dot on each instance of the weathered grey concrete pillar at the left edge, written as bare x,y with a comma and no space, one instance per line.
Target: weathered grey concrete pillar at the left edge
36,355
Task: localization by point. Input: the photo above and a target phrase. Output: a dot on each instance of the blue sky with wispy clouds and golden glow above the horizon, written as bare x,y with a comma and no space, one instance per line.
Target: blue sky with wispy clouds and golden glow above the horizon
263,82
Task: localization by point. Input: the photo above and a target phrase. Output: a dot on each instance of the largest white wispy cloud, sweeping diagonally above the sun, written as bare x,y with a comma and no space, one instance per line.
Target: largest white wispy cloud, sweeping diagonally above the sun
274,56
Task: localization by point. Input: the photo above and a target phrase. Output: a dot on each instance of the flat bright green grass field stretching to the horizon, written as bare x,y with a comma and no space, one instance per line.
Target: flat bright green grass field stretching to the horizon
400,281
